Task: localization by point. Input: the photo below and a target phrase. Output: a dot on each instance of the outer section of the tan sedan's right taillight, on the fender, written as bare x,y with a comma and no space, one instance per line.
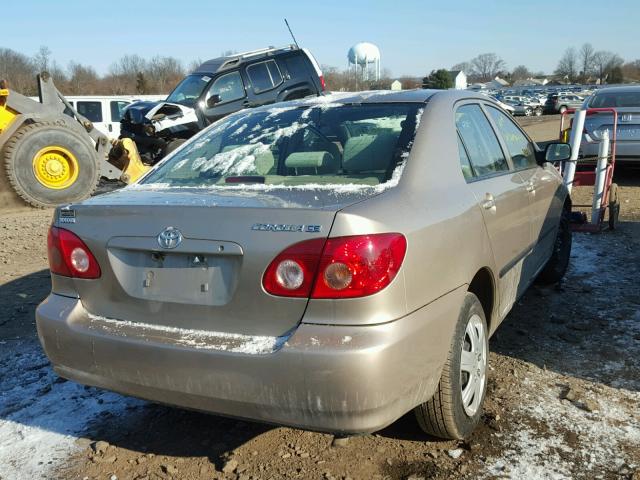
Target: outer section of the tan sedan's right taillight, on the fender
359,266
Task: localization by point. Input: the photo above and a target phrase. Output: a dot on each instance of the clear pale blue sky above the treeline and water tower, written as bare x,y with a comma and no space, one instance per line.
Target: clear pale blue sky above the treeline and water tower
414,36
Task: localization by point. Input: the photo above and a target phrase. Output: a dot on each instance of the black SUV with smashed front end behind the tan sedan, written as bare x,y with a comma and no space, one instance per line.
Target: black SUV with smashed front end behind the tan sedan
217,88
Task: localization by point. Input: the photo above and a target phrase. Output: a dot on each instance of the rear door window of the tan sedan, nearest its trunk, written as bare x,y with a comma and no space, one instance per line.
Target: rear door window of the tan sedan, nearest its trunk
480,141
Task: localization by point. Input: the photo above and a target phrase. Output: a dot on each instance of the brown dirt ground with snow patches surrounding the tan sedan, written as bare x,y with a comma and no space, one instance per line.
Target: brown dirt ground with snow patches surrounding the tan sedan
563,397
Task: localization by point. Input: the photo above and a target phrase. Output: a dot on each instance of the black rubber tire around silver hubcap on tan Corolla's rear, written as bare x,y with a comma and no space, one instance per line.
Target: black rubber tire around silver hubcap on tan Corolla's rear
444,415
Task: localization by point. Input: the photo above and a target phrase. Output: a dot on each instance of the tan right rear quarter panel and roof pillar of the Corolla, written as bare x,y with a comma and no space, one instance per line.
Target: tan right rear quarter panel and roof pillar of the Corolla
432,206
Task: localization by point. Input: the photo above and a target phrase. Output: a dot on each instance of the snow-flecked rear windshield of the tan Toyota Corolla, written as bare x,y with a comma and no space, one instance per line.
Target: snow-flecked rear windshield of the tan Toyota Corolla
315,145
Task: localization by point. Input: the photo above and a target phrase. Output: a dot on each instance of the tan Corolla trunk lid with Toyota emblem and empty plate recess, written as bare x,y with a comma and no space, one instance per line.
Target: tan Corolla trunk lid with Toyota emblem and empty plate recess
212,279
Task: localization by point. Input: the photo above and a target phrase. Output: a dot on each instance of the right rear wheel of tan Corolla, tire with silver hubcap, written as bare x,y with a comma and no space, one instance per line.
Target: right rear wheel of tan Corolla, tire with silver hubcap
456,406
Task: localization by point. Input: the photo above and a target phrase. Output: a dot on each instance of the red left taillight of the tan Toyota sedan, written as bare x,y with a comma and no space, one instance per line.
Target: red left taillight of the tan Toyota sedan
69,256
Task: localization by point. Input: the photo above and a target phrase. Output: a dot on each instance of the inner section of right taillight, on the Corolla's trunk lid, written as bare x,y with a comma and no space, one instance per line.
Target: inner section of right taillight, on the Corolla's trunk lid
292,272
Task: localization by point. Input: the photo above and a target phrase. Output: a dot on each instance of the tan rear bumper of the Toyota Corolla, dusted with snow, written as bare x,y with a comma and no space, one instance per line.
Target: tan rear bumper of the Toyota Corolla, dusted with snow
351,379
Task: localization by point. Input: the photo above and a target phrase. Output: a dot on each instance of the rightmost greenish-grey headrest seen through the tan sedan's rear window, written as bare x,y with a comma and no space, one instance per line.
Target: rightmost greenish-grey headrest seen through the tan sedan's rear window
366,153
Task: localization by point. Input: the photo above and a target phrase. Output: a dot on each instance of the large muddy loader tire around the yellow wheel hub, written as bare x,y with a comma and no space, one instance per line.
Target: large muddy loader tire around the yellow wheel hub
21,149
